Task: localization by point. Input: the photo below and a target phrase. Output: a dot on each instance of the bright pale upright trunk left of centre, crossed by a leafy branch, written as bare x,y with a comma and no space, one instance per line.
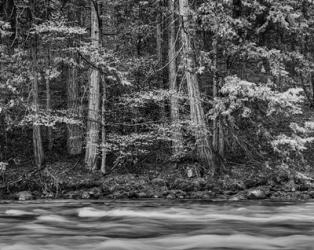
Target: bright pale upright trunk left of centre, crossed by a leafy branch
92,141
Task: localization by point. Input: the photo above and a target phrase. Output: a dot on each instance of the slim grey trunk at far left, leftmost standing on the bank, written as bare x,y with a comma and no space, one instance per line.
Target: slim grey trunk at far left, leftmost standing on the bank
37,140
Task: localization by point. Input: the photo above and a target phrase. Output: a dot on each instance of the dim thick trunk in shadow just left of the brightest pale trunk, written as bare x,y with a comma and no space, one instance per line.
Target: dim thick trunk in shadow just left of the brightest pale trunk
74,140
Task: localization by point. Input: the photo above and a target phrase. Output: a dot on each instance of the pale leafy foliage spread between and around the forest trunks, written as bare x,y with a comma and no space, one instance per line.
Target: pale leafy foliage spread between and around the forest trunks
263,65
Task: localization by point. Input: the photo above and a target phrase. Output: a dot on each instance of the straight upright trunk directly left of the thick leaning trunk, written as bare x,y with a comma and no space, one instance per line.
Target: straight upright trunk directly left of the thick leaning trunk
174,102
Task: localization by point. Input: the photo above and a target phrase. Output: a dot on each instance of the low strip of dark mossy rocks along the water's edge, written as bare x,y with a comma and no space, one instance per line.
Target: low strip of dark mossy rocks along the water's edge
141,187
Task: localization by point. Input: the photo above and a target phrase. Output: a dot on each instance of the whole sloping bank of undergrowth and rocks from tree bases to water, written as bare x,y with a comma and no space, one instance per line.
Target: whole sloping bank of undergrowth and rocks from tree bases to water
70,180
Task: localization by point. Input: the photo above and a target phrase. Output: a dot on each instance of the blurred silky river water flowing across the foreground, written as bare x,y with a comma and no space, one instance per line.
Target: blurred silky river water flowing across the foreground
155,225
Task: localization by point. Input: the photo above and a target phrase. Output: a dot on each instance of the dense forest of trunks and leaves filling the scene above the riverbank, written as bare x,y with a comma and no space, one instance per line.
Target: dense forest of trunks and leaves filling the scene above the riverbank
184,95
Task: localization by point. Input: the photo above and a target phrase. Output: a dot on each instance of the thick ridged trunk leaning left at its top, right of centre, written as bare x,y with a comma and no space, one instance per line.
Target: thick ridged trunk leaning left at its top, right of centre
203,145
